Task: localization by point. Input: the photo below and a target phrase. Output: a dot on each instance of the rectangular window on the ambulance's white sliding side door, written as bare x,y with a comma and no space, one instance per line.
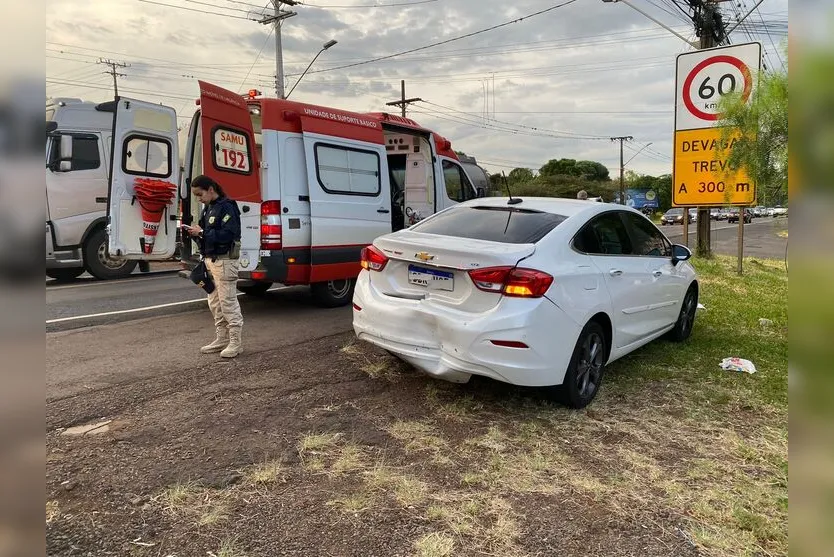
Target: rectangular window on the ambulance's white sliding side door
346,171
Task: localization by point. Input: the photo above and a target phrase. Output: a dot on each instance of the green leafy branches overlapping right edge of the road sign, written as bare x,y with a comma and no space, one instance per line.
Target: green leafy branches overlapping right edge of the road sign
762,144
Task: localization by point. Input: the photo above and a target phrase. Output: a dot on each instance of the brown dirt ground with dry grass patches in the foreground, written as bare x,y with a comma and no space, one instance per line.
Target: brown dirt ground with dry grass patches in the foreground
331,447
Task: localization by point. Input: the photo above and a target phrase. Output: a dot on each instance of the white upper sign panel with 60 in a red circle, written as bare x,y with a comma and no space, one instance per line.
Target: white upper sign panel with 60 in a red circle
704,76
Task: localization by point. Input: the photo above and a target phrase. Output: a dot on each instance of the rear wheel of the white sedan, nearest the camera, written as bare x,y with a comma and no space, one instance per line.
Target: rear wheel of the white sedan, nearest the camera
586,368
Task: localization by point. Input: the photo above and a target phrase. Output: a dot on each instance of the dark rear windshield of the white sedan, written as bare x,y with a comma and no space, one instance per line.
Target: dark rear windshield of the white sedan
509,225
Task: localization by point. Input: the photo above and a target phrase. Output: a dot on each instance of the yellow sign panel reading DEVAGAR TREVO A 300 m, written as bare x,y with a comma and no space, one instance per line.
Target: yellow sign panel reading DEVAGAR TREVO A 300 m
701,175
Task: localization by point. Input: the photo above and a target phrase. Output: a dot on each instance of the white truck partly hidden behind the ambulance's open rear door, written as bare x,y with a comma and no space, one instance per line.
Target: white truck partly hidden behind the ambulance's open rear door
78,138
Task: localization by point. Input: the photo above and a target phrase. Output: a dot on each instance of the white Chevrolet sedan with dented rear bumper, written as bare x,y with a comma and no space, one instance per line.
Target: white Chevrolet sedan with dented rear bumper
533,291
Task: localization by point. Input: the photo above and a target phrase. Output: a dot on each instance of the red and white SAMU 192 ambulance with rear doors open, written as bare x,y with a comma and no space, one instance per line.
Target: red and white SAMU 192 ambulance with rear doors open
314,184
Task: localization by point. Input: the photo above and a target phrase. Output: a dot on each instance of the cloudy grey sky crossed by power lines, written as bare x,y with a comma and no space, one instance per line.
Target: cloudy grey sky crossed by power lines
558,84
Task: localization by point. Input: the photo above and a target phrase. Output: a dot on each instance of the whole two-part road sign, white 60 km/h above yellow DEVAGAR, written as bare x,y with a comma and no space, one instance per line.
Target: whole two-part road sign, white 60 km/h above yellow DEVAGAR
702,174
